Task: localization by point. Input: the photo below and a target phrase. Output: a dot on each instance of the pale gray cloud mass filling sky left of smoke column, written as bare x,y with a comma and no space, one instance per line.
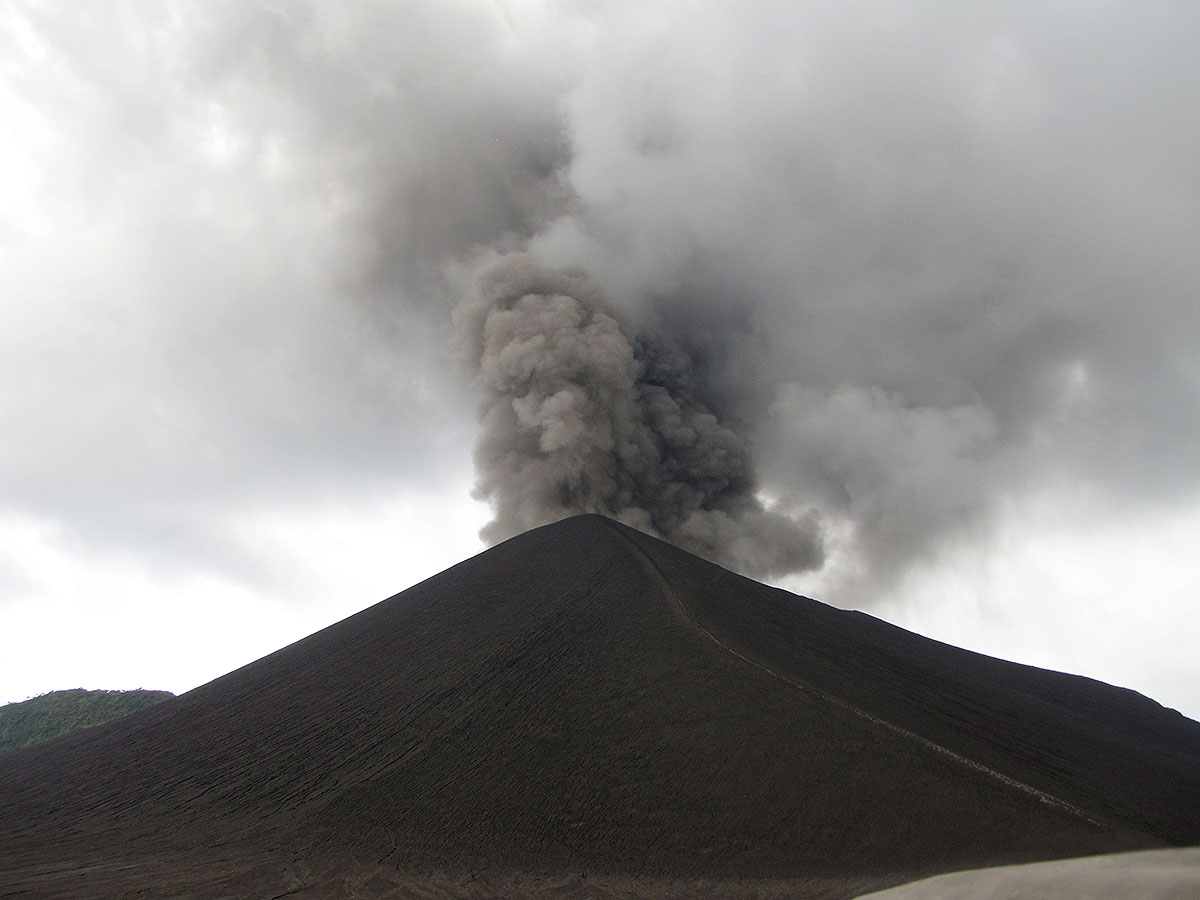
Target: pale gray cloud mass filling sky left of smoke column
226,293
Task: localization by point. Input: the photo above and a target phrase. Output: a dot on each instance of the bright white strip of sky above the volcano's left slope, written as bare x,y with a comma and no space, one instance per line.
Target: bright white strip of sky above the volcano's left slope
107,621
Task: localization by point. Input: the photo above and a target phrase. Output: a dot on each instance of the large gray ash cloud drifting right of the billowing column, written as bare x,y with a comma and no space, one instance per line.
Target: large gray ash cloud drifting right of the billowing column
933,263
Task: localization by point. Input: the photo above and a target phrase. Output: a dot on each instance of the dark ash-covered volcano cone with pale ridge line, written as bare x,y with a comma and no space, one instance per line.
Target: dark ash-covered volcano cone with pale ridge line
586,711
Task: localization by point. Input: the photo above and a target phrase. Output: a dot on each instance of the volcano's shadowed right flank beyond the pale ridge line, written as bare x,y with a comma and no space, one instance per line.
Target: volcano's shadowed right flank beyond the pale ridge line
1105,749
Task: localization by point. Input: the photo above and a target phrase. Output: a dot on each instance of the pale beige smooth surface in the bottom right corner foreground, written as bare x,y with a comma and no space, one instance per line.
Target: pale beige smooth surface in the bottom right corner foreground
1147,875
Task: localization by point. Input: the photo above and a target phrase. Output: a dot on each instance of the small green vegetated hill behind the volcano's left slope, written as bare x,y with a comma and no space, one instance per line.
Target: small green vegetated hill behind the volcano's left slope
57,713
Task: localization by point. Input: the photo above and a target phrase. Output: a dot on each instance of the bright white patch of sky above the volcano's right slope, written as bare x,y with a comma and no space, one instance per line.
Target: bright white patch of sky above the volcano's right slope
1063,589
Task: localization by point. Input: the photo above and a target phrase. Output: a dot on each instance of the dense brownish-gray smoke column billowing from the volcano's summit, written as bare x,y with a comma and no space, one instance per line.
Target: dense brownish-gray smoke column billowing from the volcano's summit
583,415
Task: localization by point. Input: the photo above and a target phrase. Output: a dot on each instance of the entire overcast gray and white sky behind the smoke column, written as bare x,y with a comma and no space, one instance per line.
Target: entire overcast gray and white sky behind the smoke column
934,265
